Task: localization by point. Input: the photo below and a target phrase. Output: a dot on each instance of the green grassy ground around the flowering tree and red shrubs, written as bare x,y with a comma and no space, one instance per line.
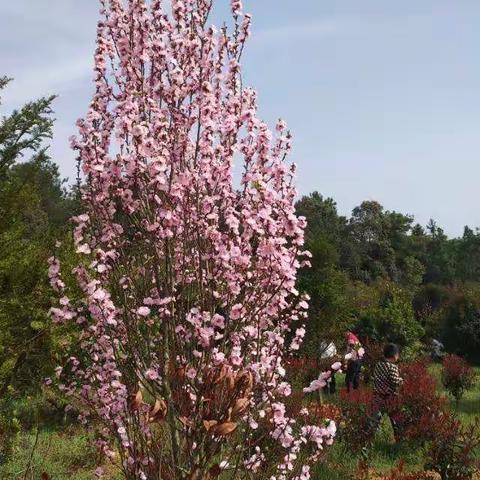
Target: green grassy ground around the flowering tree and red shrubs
69,454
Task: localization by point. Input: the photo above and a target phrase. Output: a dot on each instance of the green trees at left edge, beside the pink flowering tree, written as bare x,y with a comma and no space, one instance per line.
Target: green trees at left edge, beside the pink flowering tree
35,206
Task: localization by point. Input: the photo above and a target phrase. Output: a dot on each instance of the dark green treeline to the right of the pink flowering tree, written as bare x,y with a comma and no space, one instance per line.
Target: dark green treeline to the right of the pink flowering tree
388,278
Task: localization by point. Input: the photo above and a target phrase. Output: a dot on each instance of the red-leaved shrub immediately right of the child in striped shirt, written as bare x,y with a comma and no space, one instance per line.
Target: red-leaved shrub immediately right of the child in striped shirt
418,406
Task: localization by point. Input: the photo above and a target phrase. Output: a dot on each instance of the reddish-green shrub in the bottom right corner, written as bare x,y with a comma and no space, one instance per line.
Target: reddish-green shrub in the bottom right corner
452,452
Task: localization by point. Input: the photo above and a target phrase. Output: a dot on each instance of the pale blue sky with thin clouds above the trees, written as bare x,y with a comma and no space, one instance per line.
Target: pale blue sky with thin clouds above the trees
382,96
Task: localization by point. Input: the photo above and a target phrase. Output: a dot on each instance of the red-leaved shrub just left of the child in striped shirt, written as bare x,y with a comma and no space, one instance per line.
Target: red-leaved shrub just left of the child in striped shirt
356,421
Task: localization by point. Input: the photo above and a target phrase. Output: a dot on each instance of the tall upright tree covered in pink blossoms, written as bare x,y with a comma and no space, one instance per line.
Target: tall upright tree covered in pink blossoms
185,288
